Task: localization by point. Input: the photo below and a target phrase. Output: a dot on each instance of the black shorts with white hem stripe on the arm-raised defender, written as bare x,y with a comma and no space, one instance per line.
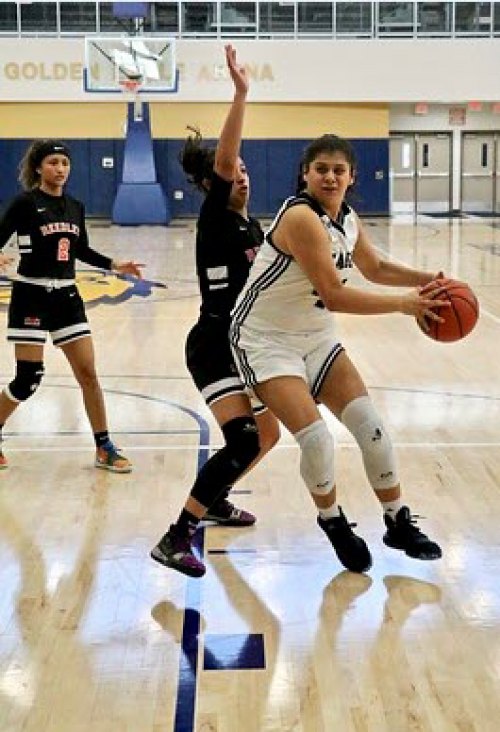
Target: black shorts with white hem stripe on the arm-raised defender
210,360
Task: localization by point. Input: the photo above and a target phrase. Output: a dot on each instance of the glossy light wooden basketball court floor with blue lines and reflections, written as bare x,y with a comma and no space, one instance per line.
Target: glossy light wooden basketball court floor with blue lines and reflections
276,637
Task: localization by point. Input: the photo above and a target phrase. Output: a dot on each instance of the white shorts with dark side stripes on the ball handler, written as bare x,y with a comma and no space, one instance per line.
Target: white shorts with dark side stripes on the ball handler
261,357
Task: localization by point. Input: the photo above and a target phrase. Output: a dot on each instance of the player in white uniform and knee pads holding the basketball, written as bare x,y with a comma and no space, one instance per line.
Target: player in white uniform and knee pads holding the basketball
283,336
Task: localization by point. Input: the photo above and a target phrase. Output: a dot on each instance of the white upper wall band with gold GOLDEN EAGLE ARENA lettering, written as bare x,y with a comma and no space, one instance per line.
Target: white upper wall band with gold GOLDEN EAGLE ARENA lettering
402,70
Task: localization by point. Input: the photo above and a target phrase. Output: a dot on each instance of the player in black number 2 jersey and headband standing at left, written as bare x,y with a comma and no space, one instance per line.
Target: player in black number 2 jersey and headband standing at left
51,236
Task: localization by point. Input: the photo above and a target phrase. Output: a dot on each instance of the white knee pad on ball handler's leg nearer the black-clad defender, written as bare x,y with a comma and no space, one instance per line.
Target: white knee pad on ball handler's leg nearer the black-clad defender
316,464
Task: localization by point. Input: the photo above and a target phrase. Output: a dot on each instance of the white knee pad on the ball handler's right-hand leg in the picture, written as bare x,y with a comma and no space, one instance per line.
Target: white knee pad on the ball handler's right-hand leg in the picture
364,423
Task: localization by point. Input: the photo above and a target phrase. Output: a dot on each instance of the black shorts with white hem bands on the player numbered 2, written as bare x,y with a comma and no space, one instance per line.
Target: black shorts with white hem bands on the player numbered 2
35,310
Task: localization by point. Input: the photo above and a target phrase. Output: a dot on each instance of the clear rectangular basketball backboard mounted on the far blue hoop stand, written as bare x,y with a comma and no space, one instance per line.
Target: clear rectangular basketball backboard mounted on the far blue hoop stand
111,61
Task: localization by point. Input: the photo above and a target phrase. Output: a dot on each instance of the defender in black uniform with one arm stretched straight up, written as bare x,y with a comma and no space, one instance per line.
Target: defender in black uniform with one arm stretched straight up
227,240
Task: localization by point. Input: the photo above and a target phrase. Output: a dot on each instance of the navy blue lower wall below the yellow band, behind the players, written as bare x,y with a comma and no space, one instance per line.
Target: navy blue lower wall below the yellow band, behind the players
273,166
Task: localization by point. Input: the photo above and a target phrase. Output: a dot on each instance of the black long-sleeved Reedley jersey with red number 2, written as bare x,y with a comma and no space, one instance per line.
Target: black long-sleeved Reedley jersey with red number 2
51,235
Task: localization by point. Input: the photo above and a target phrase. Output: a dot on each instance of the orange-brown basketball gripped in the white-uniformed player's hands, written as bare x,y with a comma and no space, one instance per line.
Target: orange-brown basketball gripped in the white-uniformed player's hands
459,318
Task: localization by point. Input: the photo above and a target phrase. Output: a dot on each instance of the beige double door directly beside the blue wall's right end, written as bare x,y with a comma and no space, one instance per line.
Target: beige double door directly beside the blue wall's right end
420,172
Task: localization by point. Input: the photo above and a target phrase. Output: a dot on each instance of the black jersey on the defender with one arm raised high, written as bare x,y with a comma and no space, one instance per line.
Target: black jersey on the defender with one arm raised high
226,245
